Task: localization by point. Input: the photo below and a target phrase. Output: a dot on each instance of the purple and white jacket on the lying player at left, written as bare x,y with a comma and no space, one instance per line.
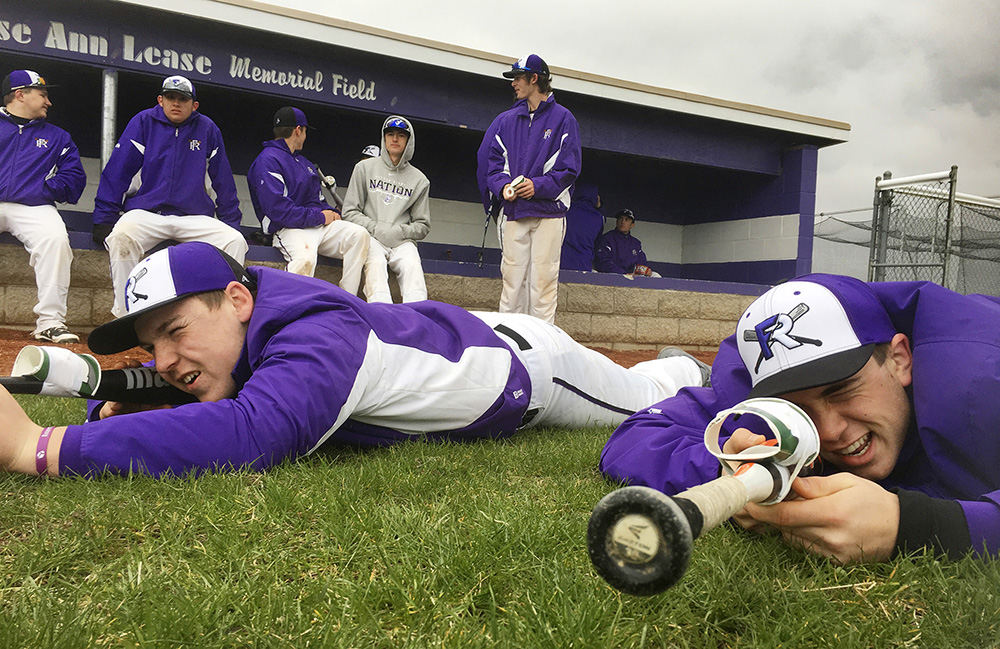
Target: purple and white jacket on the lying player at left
297,380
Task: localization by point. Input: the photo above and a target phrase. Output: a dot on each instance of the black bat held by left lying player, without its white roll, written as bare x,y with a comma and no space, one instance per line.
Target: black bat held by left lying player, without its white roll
131,385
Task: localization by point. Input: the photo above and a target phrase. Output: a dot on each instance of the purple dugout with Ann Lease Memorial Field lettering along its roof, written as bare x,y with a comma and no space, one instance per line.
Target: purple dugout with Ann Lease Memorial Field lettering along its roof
725,191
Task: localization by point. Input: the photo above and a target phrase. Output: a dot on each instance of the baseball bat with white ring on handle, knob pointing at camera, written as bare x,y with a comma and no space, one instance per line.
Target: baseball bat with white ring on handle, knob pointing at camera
640,539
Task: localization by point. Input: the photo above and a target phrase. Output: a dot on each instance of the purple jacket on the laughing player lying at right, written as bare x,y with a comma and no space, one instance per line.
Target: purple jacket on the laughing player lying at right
953,452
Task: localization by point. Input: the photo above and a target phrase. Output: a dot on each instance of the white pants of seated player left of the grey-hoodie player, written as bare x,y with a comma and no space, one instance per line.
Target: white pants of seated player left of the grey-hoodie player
339,239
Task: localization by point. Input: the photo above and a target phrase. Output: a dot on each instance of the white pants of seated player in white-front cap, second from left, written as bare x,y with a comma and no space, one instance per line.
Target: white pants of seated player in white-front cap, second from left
139,230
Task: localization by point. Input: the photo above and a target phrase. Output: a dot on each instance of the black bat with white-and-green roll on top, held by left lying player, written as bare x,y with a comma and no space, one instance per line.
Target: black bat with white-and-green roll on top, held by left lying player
59,372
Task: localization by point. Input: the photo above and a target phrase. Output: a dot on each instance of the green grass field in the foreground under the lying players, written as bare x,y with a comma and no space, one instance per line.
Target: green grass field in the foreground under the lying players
426,545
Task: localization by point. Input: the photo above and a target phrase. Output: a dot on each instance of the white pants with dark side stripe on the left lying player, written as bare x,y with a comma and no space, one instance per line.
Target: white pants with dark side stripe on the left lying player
577,387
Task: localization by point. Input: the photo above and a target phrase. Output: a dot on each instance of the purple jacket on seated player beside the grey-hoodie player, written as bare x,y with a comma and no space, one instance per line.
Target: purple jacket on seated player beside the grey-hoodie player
285,189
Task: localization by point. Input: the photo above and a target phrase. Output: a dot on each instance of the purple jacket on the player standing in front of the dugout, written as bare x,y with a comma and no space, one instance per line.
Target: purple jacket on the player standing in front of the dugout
544,148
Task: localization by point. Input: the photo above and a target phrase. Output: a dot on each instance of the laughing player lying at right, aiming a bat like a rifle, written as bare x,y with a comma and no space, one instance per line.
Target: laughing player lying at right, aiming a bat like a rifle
902,380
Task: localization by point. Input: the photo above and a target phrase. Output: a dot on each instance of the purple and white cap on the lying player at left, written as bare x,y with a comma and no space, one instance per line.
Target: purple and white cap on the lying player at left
163,278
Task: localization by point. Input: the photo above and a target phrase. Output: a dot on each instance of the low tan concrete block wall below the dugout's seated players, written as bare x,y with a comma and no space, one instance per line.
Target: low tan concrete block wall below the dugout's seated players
605,316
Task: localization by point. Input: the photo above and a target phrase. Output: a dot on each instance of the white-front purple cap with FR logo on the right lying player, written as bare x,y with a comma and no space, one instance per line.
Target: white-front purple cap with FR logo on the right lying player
813,330
